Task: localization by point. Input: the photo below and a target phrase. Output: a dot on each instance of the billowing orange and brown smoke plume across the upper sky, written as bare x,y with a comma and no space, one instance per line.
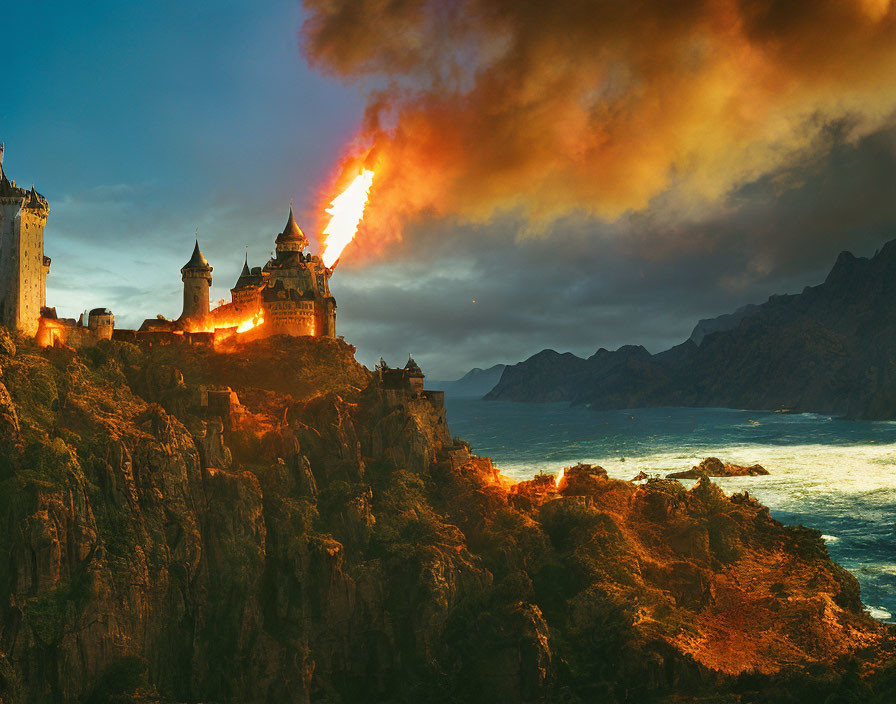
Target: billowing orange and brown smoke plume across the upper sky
477,107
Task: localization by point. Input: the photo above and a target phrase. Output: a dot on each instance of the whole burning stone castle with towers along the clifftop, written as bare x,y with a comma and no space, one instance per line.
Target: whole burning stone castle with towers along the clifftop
289,295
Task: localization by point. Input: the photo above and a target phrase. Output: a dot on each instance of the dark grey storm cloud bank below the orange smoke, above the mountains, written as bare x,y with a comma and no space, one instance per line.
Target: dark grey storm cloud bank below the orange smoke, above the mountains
588,284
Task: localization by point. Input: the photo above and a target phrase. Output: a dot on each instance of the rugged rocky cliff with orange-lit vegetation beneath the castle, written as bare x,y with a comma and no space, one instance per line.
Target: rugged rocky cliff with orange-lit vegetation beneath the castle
320,542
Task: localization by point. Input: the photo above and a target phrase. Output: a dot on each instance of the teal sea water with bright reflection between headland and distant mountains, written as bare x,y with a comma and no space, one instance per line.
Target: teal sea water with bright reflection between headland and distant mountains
834,475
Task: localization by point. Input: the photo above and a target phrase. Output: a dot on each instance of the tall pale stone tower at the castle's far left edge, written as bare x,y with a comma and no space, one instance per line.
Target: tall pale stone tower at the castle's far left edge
23,266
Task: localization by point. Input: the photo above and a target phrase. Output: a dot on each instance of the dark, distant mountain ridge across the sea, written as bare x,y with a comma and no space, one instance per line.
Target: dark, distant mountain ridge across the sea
825,350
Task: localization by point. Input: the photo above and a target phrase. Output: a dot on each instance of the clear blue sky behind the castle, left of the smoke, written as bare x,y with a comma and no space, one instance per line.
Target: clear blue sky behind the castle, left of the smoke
143,121
